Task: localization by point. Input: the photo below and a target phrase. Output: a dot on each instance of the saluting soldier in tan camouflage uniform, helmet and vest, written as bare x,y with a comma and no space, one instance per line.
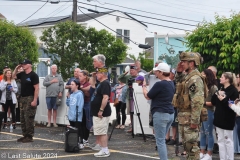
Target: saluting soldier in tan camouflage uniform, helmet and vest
189,99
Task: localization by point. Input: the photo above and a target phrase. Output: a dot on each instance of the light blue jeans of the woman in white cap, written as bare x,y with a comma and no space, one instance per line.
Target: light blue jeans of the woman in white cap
161,123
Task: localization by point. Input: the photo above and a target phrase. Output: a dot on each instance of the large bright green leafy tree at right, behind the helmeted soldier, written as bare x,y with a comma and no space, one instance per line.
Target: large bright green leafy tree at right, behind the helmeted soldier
218,42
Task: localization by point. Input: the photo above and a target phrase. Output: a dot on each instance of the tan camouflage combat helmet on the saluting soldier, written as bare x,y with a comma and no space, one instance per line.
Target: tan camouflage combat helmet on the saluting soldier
191,56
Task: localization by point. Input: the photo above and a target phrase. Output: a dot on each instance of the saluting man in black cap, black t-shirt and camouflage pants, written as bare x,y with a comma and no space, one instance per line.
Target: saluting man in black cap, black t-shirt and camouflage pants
28,100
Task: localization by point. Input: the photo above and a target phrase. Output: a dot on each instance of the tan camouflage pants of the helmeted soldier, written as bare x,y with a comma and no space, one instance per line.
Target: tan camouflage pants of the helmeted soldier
190,139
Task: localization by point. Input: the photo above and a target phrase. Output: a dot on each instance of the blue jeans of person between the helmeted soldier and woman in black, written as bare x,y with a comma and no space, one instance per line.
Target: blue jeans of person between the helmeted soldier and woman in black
207,132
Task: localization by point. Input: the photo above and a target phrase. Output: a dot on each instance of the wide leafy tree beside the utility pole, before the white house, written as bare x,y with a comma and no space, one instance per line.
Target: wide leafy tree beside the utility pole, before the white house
68,43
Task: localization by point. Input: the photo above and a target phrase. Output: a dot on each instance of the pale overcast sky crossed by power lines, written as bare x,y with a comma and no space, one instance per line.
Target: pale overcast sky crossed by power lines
189,10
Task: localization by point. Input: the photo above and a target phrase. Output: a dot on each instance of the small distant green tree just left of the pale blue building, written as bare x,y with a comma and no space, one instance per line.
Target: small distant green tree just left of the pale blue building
146,63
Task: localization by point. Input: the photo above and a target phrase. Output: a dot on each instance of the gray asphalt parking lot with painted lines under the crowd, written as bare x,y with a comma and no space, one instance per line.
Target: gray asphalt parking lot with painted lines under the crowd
49,144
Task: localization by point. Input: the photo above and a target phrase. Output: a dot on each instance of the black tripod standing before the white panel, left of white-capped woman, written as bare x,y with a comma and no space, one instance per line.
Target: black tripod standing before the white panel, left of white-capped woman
131,92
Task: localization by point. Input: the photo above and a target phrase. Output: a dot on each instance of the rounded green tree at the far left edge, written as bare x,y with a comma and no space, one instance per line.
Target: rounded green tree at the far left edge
17,43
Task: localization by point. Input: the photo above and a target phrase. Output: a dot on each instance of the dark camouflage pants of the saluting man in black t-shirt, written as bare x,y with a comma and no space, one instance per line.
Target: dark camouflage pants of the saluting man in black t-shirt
27,115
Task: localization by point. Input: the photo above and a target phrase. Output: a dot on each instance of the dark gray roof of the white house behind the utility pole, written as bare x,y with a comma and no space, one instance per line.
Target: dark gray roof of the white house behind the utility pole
54,20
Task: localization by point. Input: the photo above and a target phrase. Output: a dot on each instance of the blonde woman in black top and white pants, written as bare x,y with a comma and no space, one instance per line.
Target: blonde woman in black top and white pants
224,117
